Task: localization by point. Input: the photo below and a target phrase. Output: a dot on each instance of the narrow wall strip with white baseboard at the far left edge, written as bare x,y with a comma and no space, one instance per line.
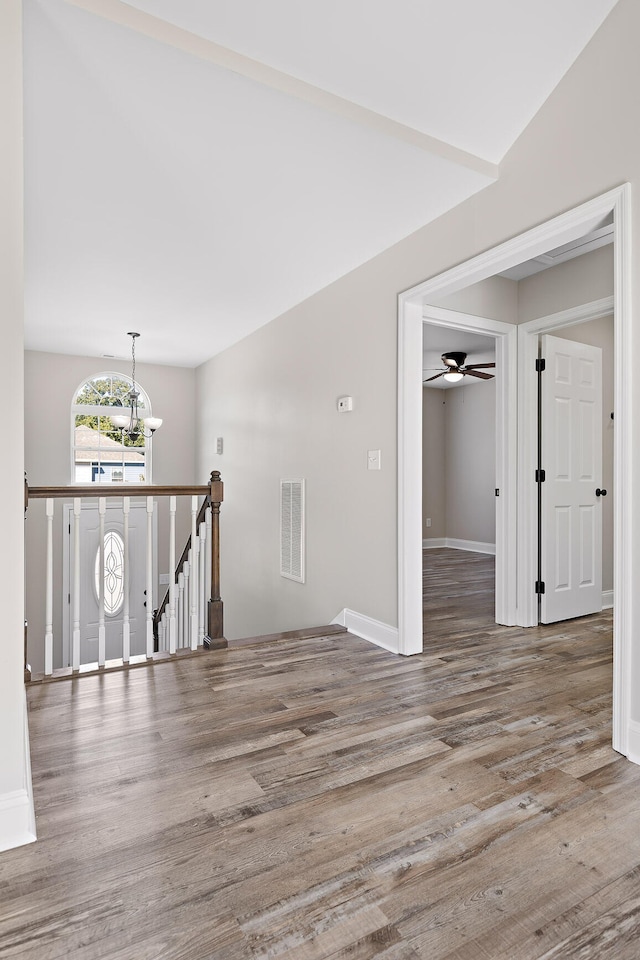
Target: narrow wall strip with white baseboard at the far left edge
17,824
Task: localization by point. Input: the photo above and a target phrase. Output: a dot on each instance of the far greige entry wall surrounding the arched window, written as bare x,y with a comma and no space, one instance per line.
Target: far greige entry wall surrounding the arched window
51,380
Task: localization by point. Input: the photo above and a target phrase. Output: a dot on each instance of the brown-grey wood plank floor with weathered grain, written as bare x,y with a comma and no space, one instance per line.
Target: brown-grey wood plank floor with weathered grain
321,798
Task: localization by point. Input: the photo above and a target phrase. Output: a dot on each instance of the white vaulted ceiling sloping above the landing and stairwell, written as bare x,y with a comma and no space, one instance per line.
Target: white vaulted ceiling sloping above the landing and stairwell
175,187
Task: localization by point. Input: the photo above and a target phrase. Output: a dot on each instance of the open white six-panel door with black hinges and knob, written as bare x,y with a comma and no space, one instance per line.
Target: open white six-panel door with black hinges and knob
571,505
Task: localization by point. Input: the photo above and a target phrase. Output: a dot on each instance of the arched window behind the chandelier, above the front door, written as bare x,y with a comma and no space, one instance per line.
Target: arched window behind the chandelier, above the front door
100,451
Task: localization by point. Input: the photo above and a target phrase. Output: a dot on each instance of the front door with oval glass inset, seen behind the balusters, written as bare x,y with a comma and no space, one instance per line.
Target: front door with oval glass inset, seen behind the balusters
114,592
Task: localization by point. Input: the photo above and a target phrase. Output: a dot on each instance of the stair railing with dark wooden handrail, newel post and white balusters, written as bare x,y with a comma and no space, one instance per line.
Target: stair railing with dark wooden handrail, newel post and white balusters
191,613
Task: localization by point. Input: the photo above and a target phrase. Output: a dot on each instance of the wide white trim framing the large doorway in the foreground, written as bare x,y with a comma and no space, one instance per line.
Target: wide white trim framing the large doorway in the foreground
563,229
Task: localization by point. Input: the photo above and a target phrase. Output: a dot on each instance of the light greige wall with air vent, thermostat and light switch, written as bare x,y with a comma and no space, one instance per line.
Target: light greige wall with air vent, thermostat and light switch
272,396
